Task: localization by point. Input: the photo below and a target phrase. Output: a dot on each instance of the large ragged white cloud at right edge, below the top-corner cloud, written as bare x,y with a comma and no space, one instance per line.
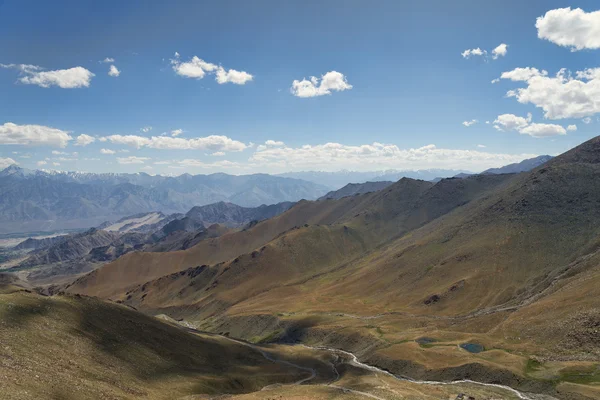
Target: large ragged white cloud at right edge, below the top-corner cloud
561,96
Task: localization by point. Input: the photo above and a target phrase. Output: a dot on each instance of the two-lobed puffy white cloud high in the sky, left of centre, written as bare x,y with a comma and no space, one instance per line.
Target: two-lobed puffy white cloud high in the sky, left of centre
197,68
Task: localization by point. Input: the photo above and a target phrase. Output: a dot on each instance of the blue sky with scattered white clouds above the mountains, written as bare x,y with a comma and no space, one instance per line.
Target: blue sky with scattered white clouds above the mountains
276,86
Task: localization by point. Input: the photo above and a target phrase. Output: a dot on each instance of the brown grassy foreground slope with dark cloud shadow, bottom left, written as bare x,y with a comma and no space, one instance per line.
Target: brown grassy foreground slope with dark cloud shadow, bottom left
72,347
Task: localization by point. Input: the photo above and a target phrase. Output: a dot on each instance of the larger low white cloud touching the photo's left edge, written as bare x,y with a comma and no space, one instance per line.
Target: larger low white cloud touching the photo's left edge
33,135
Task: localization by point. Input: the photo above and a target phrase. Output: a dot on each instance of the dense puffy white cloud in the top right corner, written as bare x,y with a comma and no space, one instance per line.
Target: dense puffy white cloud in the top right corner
573,28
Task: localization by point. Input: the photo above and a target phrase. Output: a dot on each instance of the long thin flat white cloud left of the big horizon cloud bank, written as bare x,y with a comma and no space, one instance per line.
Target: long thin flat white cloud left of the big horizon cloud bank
212,143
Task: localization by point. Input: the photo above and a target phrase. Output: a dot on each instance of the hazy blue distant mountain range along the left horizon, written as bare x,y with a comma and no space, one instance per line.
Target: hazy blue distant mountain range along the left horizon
40,200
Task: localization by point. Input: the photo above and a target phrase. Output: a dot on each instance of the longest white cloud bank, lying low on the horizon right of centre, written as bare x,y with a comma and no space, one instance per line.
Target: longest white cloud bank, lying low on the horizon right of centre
333,156
